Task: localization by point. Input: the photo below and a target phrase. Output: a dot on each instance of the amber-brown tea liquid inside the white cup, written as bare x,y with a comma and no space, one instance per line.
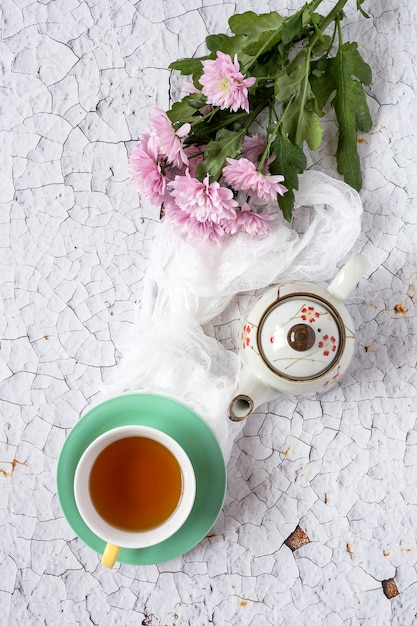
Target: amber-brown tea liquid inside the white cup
135,483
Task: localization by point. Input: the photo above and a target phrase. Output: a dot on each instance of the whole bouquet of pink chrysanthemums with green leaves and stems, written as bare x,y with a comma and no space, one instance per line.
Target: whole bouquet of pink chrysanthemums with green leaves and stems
235,144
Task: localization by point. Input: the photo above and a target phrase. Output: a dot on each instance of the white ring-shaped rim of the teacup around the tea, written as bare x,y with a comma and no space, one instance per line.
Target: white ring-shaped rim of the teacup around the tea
118,536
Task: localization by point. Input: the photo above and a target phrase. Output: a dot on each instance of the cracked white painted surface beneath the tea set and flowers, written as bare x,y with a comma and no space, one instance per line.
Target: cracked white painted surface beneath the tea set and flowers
78,81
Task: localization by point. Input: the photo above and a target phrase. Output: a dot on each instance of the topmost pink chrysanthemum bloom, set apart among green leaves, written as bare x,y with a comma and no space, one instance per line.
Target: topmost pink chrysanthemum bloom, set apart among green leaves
224,84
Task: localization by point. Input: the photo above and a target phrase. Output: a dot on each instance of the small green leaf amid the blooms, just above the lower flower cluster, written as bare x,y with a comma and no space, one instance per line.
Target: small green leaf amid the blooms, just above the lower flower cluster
227,144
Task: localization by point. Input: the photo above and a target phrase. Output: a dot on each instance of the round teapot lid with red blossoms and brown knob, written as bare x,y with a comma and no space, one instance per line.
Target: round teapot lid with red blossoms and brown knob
301,336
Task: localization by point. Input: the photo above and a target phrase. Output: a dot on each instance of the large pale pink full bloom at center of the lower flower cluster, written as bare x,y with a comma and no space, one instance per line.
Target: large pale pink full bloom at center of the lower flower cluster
203,200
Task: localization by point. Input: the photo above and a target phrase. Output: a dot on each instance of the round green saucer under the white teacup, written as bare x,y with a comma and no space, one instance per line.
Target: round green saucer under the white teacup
188,429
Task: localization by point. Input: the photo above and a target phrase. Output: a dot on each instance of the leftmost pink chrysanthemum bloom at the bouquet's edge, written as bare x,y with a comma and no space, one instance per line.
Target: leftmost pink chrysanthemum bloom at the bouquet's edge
146,170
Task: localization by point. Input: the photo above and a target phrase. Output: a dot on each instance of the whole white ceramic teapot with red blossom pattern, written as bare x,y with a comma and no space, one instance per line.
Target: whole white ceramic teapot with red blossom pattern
296,338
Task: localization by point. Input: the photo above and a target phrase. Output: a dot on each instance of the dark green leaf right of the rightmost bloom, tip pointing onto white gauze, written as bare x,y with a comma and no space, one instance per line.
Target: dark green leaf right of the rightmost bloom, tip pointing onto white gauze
290,161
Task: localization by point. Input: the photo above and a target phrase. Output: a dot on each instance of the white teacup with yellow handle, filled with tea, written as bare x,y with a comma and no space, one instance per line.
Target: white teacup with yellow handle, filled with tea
134,487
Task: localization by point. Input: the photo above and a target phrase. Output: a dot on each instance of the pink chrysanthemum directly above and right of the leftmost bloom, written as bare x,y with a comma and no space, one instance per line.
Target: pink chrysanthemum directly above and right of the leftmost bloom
169,139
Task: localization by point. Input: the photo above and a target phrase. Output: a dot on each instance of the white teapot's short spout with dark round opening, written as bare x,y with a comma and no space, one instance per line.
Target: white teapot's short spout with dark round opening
252,392
